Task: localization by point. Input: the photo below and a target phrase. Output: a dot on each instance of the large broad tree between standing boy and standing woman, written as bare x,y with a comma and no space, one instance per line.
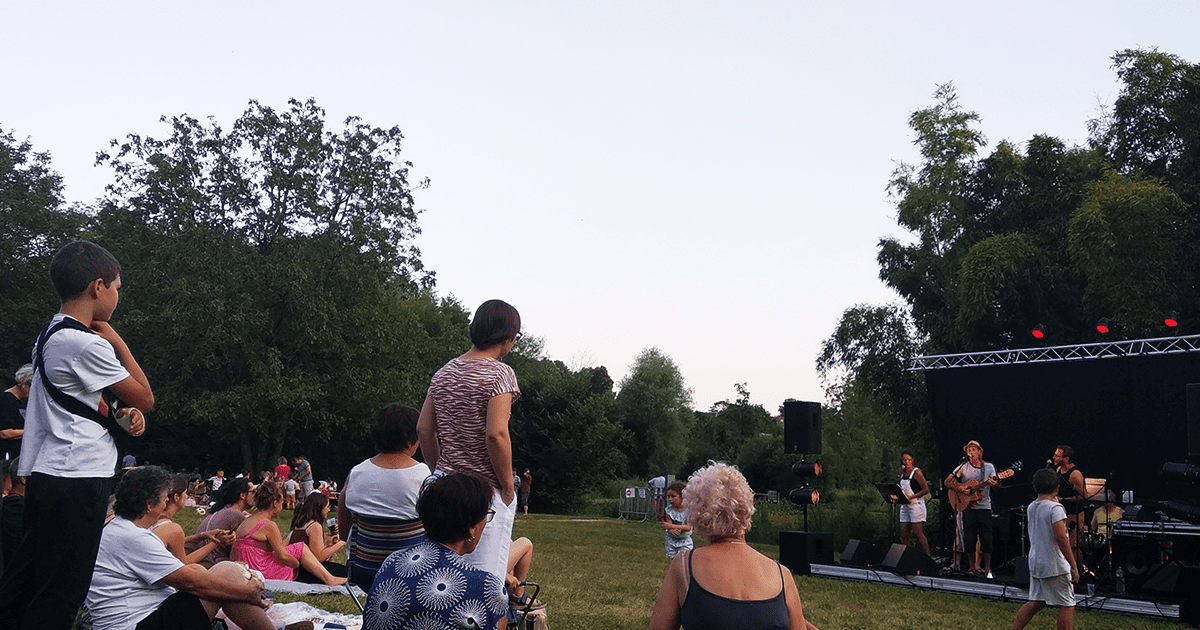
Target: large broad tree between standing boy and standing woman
273,289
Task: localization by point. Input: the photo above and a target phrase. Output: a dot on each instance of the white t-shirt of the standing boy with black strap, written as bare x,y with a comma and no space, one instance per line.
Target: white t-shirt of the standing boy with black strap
57,442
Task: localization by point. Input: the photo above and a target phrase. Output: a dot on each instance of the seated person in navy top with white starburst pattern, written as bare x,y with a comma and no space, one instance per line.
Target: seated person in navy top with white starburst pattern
430,585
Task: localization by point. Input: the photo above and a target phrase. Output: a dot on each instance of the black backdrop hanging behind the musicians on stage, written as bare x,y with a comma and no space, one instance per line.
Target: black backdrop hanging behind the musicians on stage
1125,418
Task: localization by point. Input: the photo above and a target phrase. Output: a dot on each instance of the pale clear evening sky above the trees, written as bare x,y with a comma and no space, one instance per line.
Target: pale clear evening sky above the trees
704,178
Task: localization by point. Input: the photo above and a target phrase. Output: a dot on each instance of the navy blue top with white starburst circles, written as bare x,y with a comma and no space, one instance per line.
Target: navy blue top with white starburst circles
429,586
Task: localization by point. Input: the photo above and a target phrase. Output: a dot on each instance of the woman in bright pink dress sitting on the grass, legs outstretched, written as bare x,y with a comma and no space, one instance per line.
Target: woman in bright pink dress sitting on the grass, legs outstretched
260,543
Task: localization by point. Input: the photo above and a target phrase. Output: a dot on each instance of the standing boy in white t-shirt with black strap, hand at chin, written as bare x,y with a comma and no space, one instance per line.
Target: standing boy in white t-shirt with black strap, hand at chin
68,454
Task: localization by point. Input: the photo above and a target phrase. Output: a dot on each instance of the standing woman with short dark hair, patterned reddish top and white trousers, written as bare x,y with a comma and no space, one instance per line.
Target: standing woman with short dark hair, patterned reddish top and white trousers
465,423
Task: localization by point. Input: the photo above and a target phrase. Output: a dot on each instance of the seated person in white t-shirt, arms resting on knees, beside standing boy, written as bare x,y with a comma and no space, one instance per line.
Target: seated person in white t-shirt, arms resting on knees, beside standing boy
140,584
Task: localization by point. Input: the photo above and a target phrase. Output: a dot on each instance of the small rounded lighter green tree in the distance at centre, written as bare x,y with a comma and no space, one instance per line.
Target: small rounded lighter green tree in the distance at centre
655,407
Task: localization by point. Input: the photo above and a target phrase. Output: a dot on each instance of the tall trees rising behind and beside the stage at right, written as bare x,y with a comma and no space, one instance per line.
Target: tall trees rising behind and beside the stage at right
1034,233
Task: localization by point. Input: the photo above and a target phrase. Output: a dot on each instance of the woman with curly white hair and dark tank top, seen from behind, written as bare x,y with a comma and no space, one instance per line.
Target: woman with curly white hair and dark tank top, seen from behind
725,585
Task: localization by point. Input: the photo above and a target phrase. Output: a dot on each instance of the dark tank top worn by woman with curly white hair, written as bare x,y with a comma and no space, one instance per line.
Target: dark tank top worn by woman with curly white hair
705,611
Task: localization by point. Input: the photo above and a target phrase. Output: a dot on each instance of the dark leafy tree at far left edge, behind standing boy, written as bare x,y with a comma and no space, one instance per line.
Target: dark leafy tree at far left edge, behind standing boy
34,224
